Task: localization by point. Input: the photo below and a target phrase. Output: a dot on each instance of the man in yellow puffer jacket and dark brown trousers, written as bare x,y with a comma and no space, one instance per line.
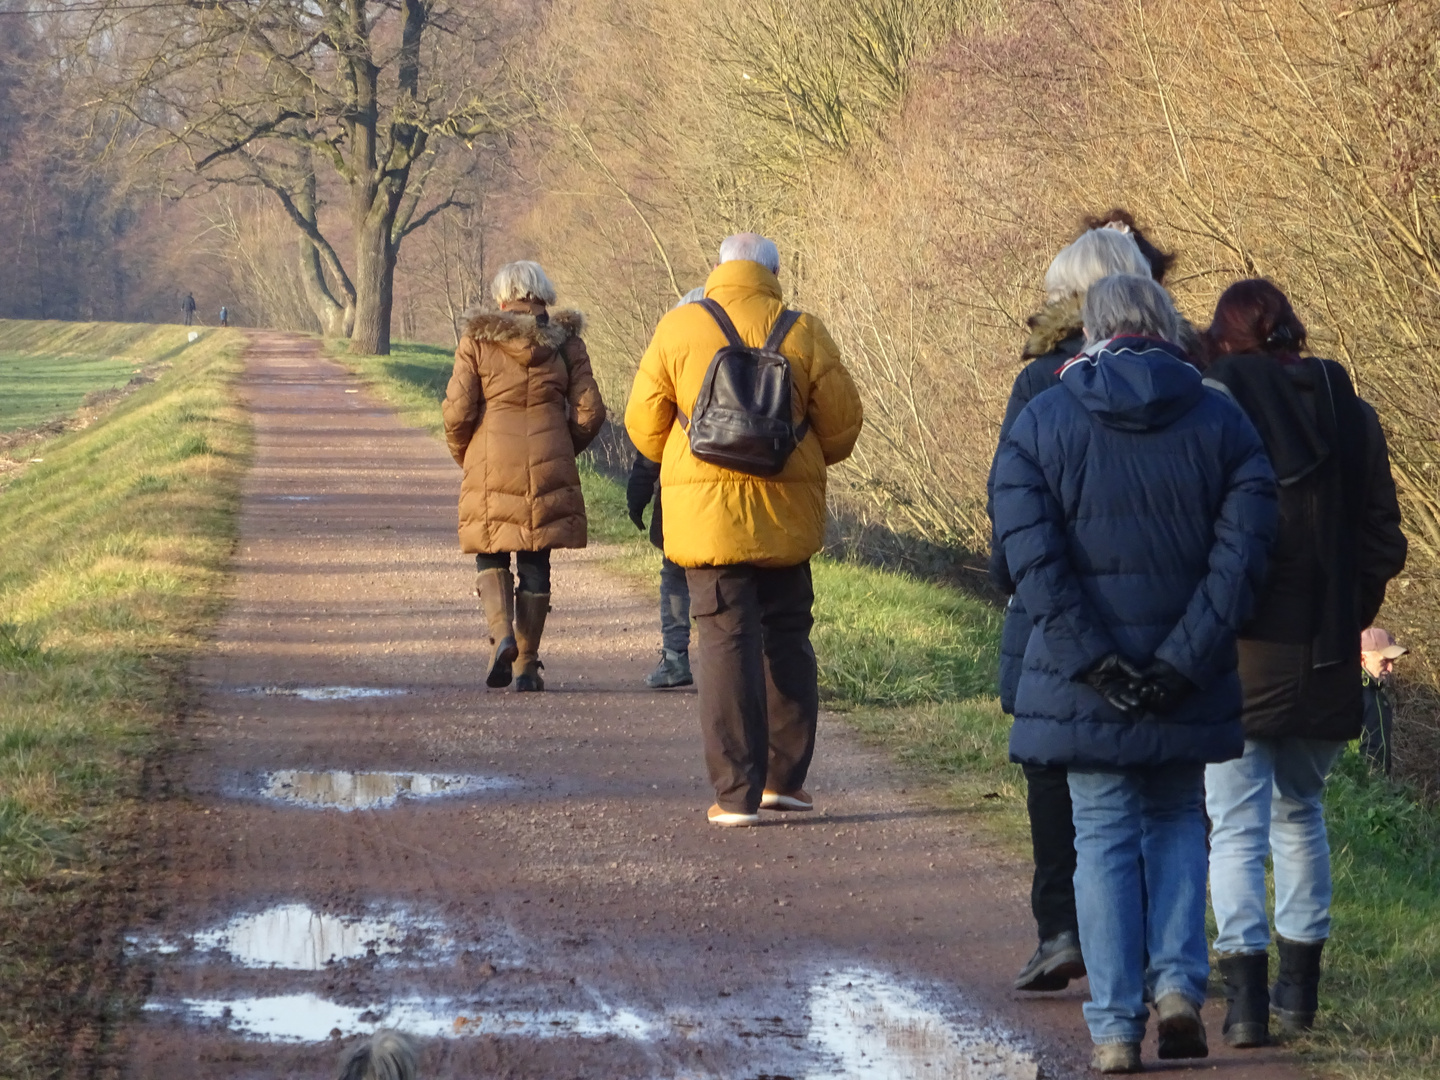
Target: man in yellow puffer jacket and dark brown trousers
745,541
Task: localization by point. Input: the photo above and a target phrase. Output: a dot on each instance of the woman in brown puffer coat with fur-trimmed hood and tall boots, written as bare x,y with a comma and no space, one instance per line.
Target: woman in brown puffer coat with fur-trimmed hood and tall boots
521,405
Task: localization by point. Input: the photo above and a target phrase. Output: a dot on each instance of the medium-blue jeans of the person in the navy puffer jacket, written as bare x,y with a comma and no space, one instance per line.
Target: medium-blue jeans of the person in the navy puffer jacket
1124,820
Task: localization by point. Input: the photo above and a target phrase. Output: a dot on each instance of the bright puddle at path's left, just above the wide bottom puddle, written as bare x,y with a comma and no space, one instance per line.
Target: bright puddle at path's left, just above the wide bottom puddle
299,938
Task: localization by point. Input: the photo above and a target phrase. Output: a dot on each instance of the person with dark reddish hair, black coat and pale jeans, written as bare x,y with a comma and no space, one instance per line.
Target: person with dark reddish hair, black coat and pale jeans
1338,546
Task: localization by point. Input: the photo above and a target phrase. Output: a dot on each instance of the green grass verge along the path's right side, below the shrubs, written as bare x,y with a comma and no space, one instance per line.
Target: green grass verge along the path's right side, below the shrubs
909,665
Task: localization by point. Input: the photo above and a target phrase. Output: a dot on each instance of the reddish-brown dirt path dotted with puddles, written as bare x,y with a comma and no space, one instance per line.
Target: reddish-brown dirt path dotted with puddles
529,882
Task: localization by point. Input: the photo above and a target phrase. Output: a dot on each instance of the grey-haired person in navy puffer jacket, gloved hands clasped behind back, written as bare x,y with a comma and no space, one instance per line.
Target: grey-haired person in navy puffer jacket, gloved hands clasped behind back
1135,508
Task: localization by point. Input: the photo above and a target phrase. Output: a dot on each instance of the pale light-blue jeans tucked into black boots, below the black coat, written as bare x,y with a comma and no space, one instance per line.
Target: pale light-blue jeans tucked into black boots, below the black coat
1269,804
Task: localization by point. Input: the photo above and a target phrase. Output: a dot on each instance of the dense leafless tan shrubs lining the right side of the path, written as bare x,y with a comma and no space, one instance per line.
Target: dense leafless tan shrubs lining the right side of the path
918,204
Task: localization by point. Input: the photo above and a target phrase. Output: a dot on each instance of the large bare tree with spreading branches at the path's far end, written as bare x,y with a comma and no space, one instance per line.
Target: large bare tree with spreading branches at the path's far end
302,97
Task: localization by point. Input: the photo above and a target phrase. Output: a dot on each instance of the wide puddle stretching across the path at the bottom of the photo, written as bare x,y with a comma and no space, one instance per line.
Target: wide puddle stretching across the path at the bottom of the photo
858,1025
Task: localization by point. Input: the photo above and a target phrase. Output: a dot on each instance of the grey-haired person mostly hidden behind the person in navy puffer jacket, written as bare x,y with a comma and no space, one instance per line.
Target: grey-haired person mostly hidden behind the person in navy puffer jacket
1056,336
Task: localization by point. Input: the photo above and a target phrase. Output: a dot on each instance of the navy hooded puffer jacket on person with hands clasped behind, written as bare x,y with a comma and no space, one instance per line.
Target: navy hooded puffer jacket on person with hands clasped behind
1141,462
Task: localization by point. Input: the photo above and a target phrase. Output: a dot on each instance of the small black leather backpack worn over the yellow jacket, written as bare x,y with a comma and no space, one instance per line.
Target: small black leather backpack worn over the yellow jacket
742,415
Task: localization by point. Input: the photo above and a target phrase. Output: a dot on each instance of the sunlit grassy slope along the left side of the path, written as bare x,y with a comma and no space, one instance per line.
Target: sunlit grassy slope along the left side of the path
117,544
